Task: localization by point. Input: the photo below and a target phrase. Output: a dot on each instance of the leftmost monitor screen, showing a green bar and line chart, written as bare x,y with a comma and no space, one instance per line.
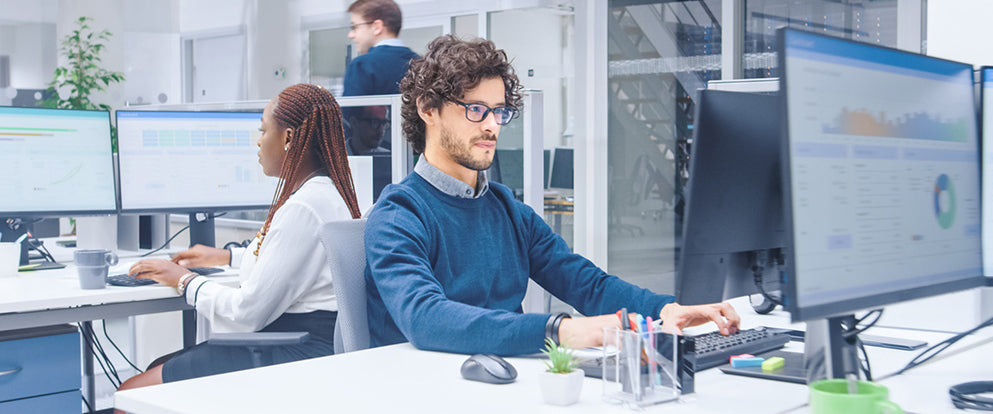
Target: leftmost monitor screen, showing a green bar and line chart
55,162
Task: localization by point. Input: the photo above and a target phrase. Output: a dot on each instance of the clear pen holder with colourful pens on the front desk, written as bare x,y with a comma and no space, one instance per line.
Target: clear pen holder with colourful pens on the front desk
639,368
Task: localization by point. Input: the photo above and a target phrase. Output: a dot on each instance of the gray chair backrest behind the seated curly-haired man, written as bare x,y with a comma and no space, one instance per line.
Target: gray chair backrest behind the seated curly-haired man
343,242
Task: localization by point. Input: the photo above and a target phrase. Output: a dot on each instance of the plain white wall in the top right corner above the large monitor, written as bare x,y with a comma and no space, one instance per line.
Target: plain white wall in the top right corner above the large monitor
960,30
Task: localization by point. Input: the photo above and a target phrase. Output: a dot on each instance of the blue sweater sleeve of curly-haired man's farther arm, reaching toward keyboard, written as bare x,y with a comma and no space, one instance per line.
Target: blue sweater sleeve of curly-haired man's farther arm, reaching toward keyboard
577,281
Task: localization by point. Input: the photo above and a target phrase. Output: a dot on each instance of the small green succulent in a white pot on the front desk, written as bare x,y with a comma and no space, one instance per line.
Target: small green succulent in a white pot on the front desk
562,382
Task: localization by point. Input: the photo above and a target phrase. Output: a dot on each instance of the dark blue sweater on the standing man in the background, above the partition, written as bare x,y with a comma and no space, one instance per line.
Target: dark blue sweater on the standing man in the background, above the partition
378,72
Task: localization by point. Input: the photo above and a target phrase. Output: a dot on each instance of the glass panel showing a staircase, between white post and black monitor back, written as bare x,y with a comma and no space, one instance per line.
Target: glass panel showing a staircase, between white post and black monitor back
659,54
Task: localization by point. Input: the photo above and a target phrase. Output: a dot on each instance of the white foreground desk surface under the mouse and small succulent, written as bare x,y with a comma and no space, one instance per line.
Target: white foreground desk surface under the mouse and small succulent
401,378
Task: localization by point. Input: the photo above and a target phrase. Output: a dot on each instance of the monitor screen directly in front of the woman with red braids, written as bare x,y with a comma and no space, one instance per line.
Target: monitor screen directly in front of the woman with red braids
191,161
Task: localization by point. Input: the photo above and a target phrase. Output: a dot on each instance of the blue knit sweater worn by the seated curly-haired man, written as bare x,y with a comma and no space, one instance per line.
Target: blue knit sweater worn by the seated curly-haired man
449,274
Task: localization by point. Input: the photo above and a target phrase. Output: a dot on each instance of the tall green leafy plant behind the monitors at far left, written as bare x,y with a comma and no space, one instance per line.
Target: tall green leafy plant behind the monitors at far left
82,75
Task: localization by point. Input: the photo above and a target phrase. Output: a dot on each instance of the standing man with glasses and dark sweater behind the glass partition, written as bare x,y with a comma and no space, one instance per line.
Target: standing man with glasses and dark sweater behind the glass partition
381,64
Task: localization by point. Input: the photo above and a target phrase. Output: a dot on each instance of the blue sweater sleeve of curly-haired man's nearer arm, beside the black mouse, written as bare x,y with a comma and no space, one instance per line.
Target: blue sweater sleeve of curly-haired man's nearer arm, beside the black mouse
397,249
